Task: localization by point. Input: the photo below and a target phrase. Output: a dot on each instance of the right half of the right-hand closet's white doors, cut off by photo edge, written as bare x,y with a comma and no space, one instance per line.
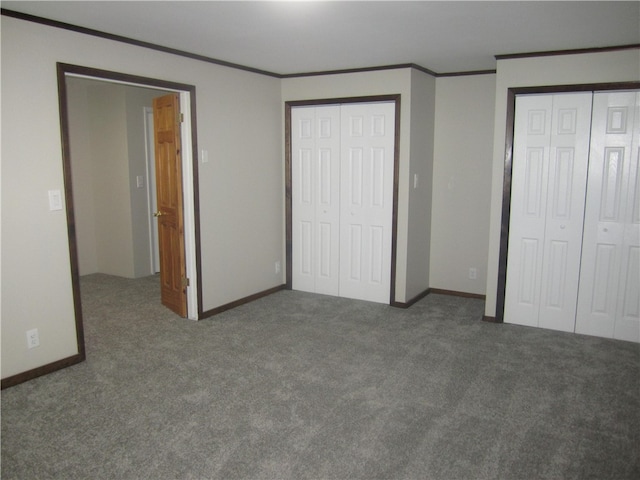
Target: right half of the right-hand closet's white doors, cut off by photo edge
609,300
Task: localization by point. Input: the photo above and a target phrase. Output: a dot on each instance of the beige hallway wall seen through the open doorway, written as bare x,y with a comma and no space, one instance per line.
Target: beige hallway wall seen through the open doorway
107,140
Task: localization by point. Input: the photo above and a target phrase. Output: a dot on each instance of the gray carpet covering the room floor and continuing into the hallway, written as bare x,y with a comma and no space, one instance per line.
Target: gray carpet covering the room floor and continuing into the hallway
303,386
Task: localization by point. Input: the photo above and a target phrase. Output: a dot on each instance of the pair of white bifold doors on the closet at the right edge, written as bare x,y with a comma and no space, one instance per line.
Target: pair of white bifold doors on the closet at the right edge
574,240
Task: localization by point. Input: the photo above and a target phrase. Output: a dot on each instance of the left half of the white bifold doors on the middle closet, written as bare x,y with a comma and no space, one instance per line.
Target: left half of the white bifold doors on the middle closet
315,170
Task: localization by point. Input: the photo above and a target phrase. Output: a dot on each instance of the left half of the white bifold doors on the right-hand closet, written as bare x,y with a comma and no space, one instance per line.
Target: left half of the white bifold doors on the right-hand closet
549,169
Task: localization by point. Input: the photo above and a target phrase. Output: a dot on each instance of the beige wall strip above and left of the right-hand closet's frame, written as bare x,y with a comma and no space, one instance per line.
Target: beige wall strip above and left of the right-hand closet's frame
602,67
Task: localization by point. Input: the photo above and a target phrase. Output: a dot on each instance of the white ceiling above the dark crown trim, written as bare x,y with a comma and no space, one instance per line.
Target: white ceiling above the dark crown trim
296,37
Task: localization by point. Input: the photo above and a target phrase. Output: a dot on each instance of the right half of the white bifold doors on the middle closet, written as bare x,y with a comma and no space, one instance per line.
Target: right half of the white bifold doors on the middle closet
367,160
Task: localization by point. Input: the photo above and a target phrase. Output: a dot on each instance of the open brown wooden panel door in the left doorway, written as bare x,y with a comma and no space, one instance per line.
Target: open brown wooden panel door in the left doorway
166,119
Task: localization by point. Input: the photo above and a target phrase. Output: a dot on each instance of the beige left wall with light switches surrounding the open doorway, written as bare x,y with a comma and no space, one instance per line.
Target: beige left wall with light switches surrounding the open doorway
241,187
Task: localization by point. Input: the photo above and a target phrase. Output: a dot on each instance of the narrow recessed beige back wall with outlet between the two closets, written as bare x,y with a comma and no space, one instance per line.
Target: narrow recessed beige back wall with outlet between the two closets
462,181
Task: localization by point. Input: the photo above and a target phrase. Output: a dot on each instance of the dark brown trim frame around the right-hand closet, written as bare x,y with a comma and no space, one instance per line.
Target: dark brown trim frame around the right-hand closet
508,163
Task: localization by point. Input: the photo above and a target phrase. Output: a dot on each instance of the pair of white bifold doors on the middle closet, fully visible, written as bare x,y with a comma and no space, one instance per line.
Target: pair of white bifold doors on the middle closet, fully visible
342,199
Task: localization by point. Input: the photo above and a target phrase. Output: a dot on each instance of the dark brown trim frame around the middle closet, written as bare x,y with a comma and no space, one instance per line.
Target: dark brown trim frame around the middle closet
288,177
